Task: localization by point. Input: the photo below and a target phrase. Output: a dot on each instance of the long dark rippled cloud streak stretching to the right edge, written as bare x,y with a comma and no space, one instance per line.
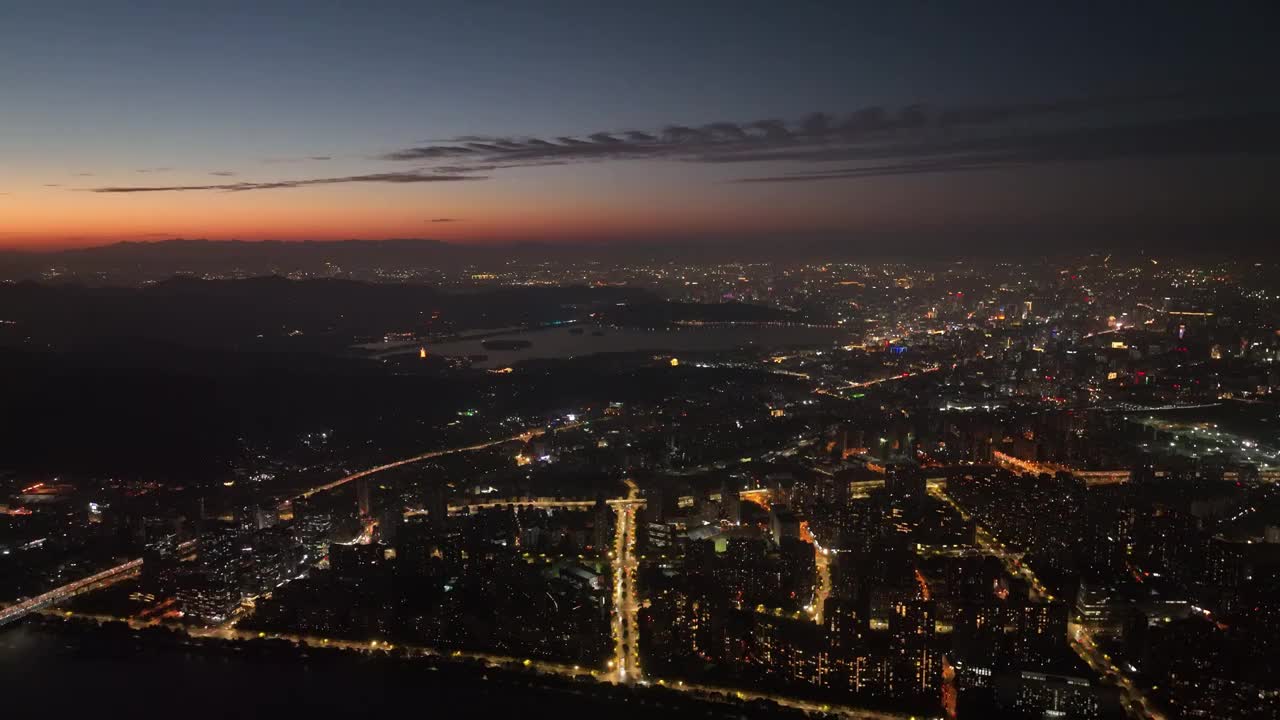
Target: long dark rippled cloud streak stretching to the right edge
909,140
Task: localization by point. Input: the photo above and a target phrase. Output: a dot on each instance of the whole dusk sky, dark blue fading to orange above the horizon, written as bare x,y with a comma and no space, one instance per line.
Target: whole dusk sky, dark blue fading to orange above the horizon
614,122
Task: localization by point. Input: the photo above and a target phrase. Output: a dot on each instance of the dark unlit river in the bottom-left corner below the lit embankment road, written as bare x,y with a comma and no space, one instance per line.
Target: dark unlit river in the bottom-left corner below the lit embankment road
80,671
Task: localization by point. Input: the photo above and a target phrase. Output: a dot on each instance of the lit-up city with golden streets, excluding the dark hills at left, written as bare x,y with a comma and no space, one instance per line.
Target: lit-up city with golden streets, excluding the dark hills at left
970,485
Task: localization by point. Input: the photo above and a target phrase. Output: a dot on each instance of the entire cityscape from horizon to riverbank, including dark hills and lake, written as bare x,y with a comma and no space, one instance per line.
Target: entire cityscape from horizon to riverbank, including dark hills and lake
953,489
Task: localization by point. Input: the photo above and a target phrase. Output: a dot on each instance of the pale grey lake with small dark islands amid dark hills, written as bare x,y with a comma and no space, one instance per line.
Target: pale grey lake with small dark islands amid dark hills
560,343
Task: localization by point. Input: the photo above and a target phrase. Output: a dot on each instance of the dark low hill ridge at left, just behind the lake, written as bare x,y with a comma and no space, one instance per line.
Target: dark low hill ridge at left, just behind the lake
273,313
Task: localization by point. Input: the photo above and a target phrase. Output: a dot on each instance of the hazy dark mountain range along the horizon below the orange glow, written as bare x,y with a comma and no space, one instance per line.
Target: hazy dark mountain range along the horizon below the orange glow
135,262
